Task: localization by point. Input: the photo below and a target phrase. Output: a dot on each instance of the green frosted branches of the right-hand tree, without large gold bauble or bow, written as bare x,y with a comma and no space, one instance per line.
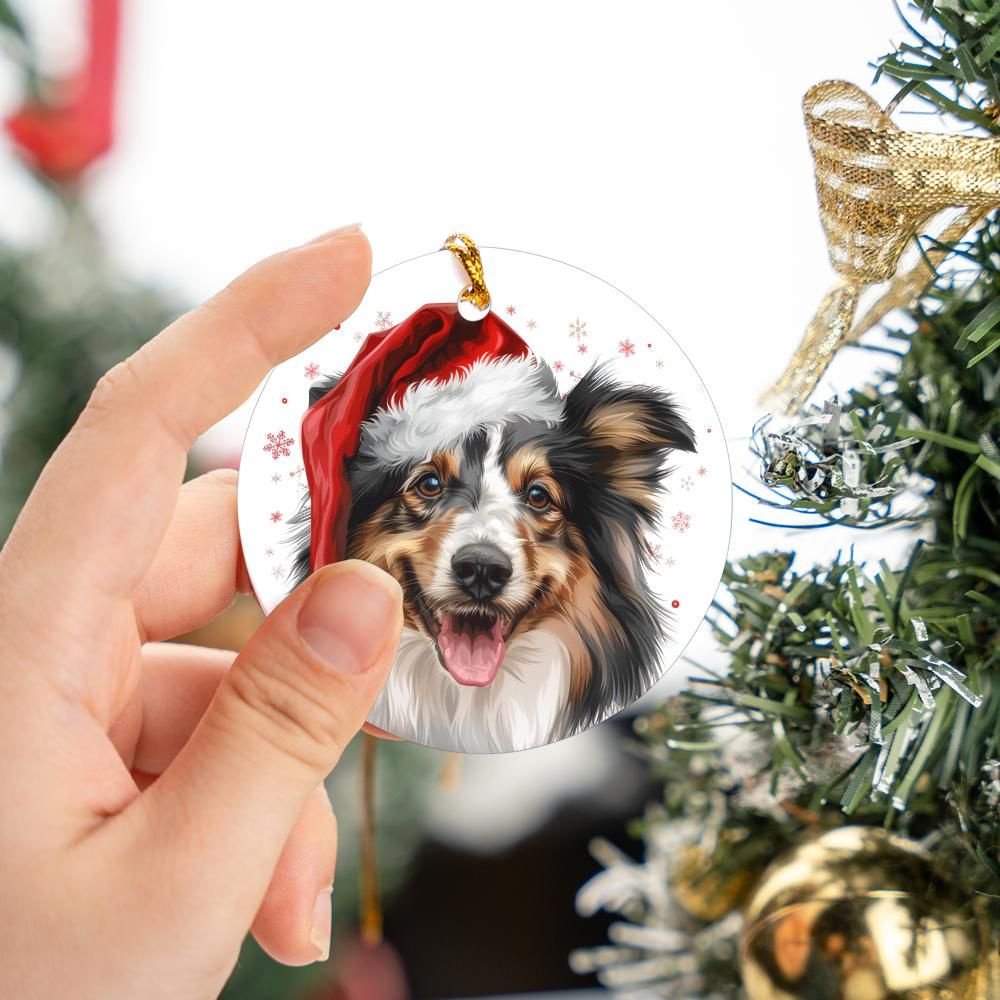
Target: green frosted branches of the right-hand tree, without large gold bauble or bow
859,694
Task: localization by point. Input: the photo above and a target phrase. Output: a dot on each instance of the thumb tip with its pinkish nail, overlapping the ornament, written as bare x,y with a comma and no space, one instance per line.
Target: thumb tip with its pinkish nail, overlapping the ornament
347,615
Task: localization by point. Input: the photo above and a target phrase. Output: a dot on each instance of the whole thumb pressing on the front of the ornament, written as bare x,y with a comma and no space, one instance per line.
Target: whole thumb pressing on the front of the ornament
290,704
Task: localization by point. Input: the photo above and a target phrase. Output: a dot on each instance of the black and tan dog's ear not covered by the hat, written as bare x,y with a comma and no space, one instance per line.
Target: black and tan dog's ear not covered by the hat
629,431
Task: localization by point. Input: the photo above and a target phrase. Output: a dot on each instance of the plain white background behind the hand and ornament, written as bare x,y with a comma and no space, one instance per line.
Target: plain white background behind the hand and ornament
658,145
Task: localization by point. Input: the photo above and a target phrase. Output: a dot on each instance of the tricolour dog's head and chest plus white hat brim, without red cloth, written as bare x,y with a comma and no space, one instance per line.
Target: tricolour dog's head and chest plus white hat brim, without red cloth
514,520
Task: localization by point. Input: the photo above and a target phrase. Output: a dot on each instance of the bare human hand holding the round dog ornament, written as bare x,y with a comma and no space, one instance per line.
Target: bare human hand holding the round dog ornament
159,800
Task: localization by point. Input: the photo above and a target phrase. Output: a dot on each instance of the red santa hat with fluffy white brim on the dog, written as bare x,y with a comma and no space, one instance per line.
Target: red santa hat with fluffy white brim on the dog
418,385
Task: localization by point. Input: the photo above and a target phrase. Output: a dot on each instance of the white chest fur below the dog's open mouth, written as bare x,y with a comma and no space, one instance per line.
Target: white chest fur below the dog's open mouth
522,708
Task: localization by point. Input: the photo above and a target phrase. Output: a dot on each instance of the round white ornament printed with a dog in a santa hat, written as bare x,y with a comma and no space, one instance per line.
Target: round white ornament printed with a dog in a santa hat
547,480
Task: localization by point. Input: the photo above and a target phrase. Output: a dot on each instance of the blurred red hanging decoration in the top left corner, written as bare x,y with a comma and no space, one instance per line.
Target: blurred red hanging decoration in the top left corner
63,136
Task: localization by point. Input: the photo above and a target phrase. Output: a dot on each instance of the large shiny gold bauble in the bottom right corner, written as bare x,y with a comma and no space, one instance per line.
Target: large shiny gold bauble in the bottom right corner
859,914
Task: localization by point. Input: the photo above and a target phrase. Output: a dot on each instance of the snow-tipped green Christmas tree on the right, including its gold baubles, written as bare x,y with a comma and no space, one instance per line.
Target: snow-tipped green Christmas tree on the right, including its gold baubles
858,723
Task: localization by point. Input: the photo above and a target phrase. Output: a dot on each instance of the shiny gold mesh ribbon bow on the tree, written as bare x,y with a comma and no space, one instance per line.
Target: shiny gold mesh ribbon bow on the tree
878,186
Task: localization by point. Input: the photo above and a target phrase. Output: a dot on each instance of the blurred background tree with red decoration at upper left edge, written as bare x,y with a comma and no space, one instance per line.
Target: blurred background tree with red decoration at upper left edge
67,313
